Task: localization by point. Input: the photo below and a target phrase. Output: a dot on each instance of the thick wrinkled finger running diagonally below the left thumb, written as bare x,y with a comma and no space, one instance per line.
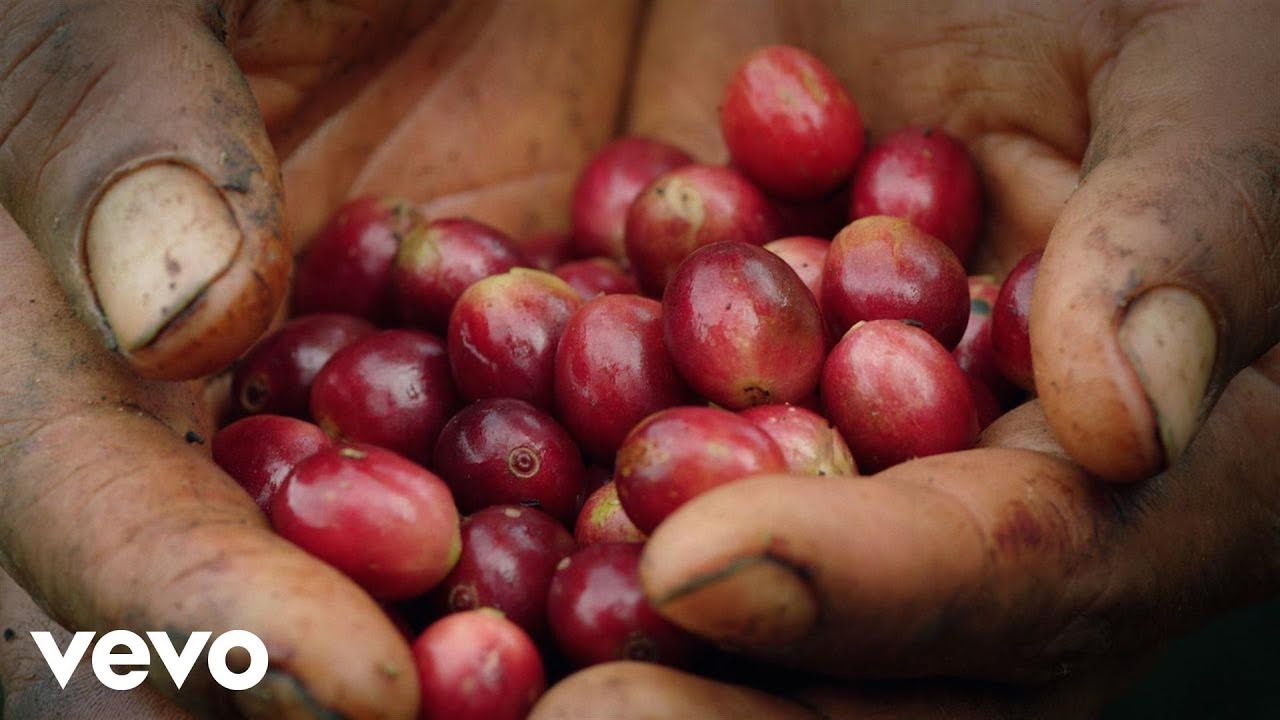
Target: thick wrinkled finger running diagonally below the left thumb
112,520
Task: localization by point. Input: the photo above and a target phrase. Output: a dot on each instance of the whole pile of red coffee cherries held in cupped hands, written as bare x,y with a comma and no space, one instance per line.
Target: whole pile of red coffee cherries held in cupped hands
483,432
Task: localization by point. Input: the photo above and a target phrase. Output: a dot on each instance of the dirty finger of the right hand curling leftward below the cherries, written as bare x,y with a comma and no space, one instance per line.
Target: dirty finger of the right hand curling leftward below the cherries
1002,563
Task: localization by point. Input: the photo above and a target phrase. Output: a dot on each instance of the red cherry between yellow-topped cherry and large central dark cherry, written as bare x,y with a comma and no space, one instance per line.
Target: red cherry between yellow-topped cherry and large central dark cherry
612,371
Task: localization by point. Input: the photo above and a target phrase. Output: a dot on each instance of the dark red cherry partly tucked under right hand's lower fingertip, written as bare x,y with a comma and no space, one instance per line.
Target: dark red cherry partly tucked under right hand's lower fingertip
598,612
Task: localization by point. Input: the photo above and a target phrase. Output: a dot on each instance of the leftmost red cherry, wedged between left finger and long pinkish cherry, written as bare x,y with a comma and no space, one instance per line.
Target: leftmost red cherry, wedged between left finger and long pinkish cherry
260,450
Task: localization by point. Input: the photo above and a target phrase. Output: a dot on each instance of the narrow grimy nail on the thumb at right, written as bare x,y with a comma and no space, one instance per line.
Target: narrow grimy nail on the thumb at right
1172,343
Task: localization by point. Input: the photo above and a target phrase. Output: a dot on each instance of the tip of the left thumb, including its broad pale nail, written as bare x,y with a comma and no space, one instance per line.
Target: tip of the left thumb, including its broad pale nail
182,285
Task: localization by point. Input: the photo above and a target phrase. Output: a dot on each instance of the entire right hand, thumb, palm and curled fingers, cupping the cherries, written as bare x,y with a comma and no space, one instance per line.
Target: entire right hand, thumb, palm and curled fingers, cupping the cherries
1013,566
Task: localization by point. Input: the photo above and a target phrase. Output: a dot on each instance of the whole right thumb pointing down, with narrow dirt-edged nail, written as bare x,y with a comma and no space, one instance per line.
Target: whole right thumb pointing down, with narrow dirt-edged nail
1159,281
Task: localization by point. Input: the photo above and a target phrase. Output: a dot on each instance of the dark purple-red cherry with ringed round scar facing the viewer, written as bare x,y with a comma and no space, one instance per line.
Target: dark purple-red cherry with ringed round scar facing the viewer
502,450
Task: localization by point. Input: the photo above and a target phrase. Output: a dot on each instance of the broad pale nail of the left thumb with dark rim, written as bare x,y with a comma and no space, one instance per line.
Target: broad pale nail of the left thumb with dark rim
158,238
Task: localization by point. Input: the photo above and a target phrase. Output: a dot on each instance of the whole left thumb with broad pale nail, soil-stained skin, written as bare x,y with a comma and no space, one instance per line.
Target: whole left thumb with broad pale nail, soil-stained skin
134,156
